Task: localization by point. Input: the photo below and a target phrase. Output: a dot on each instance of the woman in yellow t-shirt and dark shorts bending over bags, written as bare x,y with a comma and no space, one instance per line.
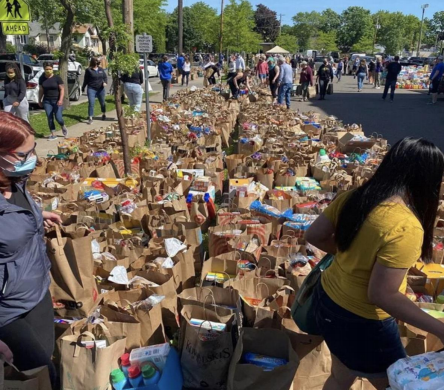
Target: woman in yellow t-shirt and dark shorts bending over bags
377,232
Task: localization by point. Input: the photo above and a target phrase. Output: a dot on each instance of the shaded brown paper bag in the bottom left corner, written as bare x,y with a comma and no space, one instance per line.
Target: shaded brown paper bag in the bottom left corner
35,379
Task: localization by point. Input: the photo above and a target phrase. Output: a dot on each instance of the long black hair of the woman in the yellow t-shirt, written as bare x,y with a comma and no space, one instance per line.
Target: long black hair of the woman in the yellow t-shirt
412,169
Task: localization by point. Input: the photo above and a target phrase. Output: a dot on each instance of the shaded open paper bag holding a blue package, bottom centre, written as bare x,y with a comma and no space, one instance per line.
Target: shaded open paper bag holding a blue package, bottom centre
268,342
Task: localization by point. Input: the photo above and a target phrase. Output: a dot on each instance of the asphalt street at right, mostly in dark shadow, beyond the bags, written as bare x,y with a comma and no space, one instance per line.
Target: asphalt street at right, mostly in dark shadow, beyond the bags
408,116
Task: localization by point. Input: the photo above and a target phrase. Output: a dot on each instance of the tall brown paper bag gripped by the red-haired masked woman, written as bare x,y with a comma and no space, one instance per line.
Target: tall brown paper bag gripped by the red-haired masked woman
72,279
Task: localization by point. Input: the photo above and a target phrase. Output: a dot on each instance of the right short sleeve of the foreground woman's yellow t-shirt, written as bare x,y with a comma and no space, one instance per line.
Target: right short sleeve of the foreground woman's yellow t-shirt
402,246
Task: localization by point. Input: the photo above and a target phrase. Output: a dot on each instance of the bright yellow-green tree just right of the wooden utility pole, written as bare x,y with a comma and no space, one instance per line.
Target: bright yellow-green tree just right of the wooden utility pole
239,34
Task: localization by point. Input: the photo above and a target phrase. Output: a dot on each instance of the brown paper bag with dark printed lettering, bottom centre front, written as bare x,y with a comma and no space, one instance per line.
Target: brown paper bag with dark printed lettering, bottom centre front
205,354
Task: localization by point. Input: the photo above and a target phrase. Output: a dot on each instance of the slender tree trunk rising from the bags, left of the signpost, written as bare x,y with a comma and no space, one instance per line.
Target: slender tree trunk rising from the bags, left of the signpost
117,91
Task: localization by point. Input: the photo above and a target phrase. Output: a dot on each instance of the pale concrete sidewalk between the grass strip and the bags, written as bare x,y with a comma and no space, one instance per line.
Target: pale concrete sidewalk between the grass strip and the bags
44,146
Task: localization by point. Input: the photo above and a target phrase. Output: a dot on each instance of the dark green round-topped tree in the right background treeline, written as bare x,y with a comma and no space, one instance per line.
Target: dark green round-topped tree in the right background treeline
355,29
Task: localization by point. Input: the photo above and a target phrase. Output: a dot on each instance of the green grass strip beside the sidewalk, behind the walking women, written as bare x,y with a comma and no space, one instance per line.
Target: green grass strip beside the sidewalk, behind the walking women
73,115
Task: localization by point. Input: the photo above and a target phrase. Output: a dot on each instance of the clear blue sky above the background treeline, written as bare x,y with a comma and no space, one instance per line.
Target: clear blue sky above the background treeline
289,8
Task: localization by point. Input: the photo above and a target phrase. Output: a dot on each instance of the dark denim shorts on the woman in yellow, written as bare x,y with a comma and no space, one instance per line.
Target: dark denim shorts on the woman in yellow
362,345
